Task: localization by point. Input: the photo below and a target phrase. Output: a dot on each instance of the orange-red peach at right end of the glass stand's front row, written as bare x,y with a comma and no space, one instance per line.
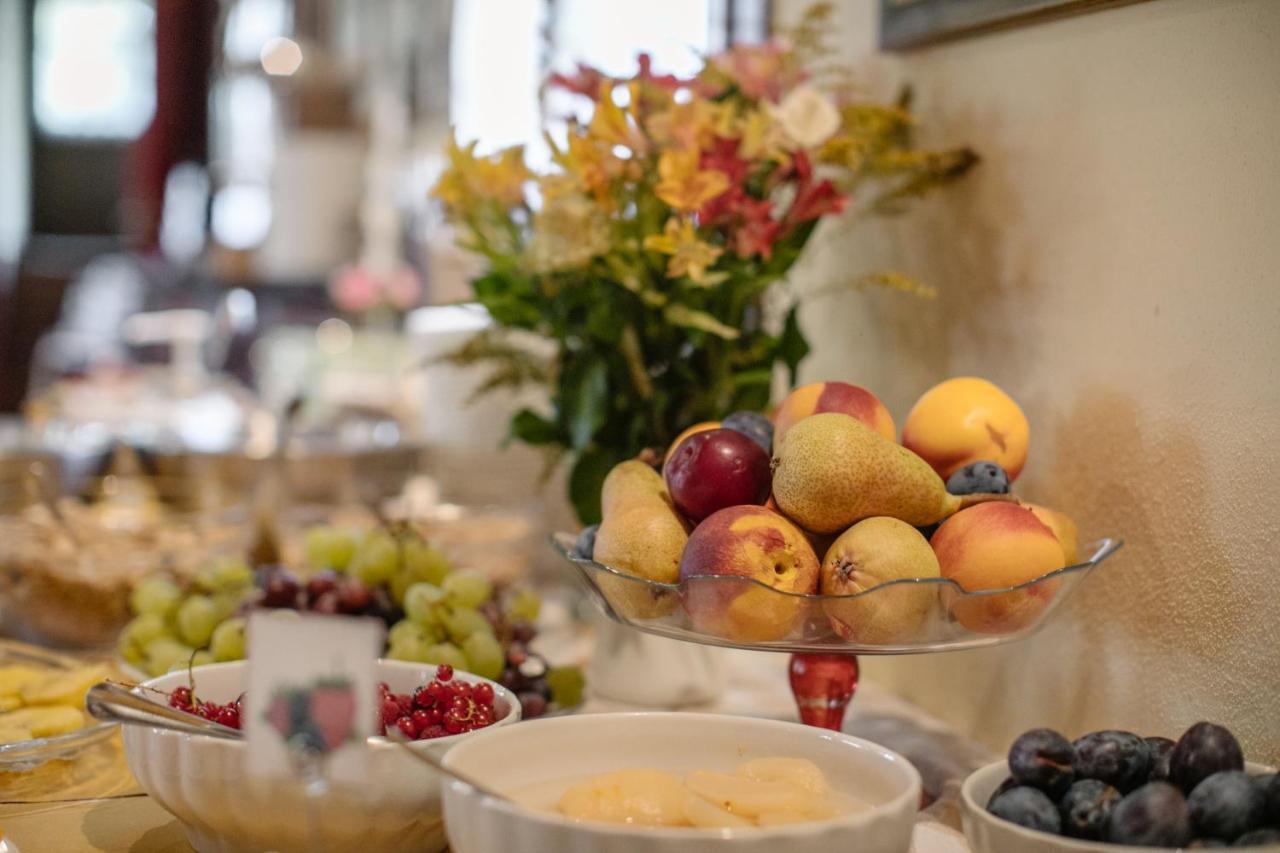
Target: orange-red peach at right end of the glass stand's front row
995,546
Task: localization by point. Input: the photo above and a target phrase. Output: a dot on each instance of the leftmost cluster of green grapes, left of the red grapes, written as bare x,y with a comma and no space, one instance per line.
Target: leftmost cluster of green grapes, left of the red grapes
200,624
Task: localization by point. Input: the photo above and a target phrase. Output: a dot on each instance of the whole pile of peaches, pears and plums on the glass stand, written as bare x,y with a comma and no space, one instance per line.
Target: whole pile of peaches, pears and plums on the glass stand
824,499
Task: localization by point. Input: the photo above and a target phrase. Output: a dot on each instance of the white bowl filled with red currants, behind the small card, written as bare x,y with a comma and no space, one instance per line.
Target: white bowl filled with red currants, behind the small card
394,806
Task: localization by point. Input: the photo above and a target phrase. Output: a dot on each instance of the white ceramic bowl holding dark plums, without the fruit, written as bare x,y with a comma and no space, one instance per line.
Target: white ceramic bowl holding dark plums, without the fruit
991,834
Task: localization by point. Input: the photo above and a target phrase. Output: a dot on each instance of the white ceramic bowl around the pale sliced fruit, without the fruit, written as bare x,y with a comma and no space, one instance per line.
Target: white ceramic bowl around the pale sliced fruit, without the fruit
568,750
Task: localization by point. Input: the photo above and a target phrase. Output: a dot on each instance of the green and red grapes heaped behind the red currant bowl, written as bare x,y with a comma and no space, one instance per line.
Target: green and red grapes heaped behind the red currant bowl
436,614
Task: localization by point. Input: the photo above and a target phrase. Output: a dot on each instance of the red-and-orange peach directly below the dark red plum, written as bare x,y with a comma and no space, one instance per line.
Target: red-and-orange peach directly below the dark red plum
748,544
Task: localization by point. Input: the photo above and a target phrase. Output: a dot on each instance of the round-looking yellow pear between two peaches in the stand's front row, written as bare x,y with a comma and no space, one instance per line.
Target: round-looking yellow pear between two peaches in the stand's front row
874,553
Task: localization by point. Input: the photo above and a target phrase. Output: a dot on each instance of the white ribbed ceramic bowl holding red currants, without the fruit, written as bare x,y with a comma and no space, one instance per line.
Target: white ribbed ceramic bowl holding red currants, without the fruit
203,783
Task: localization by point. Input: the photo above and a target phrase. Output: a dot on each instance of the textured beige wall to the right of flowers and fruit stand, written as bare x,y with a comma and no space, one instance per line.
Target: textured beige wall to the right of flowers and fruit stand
1116,266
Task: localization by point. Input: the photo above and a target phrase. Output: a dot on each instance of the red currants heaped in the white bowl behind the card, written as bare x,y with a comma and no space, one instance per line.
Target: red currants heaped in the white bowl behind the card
437,710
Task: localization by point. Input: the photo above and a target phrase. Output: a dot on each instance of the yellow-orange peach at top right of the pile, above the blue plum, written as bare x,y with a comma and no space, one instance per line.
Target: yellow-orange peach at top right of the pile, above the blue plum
967,421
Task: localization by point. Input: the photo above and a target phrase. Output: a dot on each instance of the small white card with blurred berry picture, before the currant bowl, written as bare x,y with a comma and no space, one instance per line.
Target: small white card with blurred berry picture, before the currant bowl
312,692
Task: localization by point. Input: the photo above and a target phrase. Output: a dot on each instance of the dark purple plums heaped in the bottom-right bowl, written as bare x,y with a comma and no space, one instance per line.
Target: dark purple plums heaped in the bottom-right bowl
1146,792
